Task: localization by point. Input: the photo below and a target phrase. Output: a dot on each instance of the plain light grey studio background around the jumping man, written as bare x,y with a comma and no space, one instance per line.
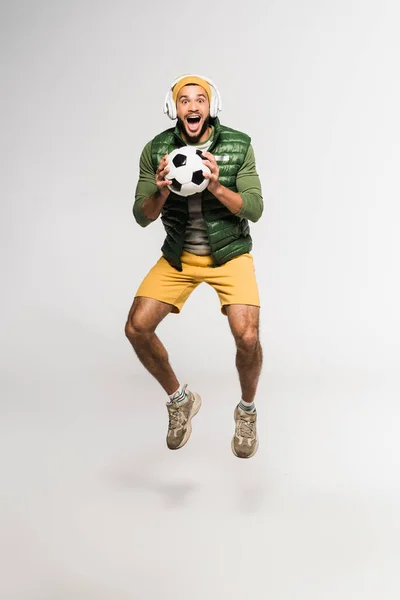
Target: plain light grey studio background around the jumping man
92,503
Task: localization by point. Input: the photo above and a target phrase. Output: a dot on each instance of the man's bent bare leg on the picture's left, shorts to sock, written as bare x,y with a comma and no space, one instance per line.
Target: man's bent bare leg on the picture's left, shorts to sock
144,317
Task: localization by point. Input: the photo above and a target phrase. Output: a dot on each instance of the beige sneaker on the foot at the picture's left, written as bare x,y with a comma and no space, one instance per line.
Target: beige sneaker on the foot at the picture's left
180,420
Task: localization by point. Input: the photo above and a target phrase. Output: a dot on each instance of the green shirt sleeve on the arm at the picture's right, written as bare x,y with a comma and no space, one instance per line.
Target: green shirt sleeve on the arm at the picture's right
249,187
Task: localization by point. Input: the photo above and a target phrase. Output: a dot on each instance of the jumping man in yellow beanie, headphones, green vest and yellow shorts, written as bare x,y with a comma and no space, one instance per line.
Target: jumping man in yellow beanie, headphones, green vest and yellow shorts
208,240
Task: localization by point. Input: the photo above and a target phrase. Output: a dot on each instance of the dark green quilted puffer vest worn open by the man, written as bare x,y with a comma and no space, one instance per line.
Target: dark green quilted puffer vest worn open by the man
228,234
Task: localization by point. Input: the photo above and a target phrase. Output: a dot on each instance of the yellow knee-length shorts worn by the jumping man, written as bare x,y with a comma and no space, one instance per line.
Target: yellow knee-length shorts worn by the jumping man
234,281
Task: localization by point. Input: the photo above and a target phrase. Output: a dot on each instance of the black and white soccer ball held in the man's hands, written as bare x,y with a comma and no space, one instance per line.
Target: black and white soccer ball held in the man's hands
186,171
